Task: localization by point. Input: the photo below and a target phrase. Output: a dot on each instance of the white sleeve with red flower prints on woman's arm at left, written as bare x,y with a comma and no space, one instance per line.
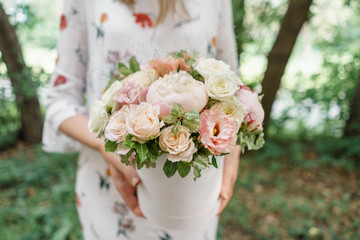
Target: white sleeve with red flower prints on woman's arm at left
65,93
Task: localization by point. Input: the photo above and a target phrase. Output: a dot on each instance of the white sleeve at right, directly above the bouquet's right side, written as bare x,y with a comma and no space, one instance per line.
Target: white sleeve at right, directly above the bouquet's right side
226,43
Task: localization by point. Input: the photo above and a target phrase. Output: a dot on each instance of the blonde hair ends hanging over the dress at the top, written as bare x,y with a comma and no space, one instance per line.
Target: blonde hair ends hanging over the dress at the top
166,7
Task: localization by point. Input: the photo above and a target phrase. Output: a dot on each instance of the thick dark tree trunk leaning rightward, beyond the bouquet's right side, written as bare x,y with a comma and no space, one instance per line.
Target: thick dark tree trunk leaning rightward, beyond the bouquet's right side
295,17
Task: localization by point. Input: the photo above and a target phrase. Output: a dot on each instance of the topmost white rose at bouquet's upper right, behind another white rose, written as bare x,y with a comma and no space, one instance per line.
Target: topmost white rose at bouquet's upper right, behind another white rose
208,66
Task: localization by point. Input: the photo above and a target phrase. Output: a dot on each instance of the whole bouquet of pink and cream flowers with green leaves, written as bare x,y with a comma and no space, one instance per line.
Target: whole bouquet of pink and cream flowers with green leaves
190,109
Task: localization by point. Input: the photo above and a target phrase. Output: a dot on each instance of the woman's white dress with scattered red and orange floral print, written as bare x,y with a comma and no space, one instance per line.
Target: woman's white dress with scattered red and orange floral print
95,35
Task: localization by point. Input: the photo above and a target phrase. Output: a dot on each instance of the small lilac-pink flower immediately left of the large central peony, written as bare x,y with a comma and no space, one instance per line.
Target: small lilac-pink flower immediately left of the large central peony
129,94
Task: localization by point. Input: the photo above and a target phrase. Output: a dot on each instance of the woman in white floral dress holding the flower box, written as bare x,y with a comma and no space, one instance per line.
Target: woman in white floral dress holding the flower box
95,35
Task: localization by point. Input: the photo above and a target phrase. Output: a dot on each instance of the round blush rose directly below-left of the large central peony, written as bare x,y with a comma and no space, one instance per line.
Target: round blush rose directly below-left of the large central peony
143,122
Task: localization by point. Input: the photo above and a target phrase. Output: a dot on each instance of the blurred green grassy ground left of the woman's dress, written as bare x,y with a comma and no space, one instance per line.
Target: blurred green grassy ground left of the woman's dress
37,196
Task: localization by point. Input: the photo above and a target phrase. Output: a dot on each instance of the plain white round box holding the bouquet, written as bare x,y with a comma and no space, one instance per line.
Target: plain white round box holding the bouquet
179,203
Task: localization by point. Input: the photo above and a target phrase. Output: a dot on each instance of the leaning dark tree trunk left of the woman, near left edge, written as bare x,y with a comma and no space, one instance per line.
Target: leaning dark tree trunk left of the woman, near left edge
21,80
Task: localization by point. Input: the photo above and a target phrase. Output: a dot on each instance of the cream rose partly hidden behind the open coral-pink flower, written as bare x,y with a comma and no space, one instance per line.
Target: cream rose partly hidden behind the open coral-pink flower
232,108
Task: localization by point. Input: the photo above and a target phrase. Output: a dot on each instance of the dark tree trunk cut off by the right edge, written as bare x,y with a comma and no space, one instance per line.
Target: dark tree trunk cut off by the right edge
352,126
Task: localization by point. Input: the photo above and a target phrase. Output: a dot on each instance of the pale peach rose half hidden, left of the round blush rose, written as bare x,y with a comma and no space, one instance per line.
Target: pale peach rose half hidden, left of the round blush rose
116,131
